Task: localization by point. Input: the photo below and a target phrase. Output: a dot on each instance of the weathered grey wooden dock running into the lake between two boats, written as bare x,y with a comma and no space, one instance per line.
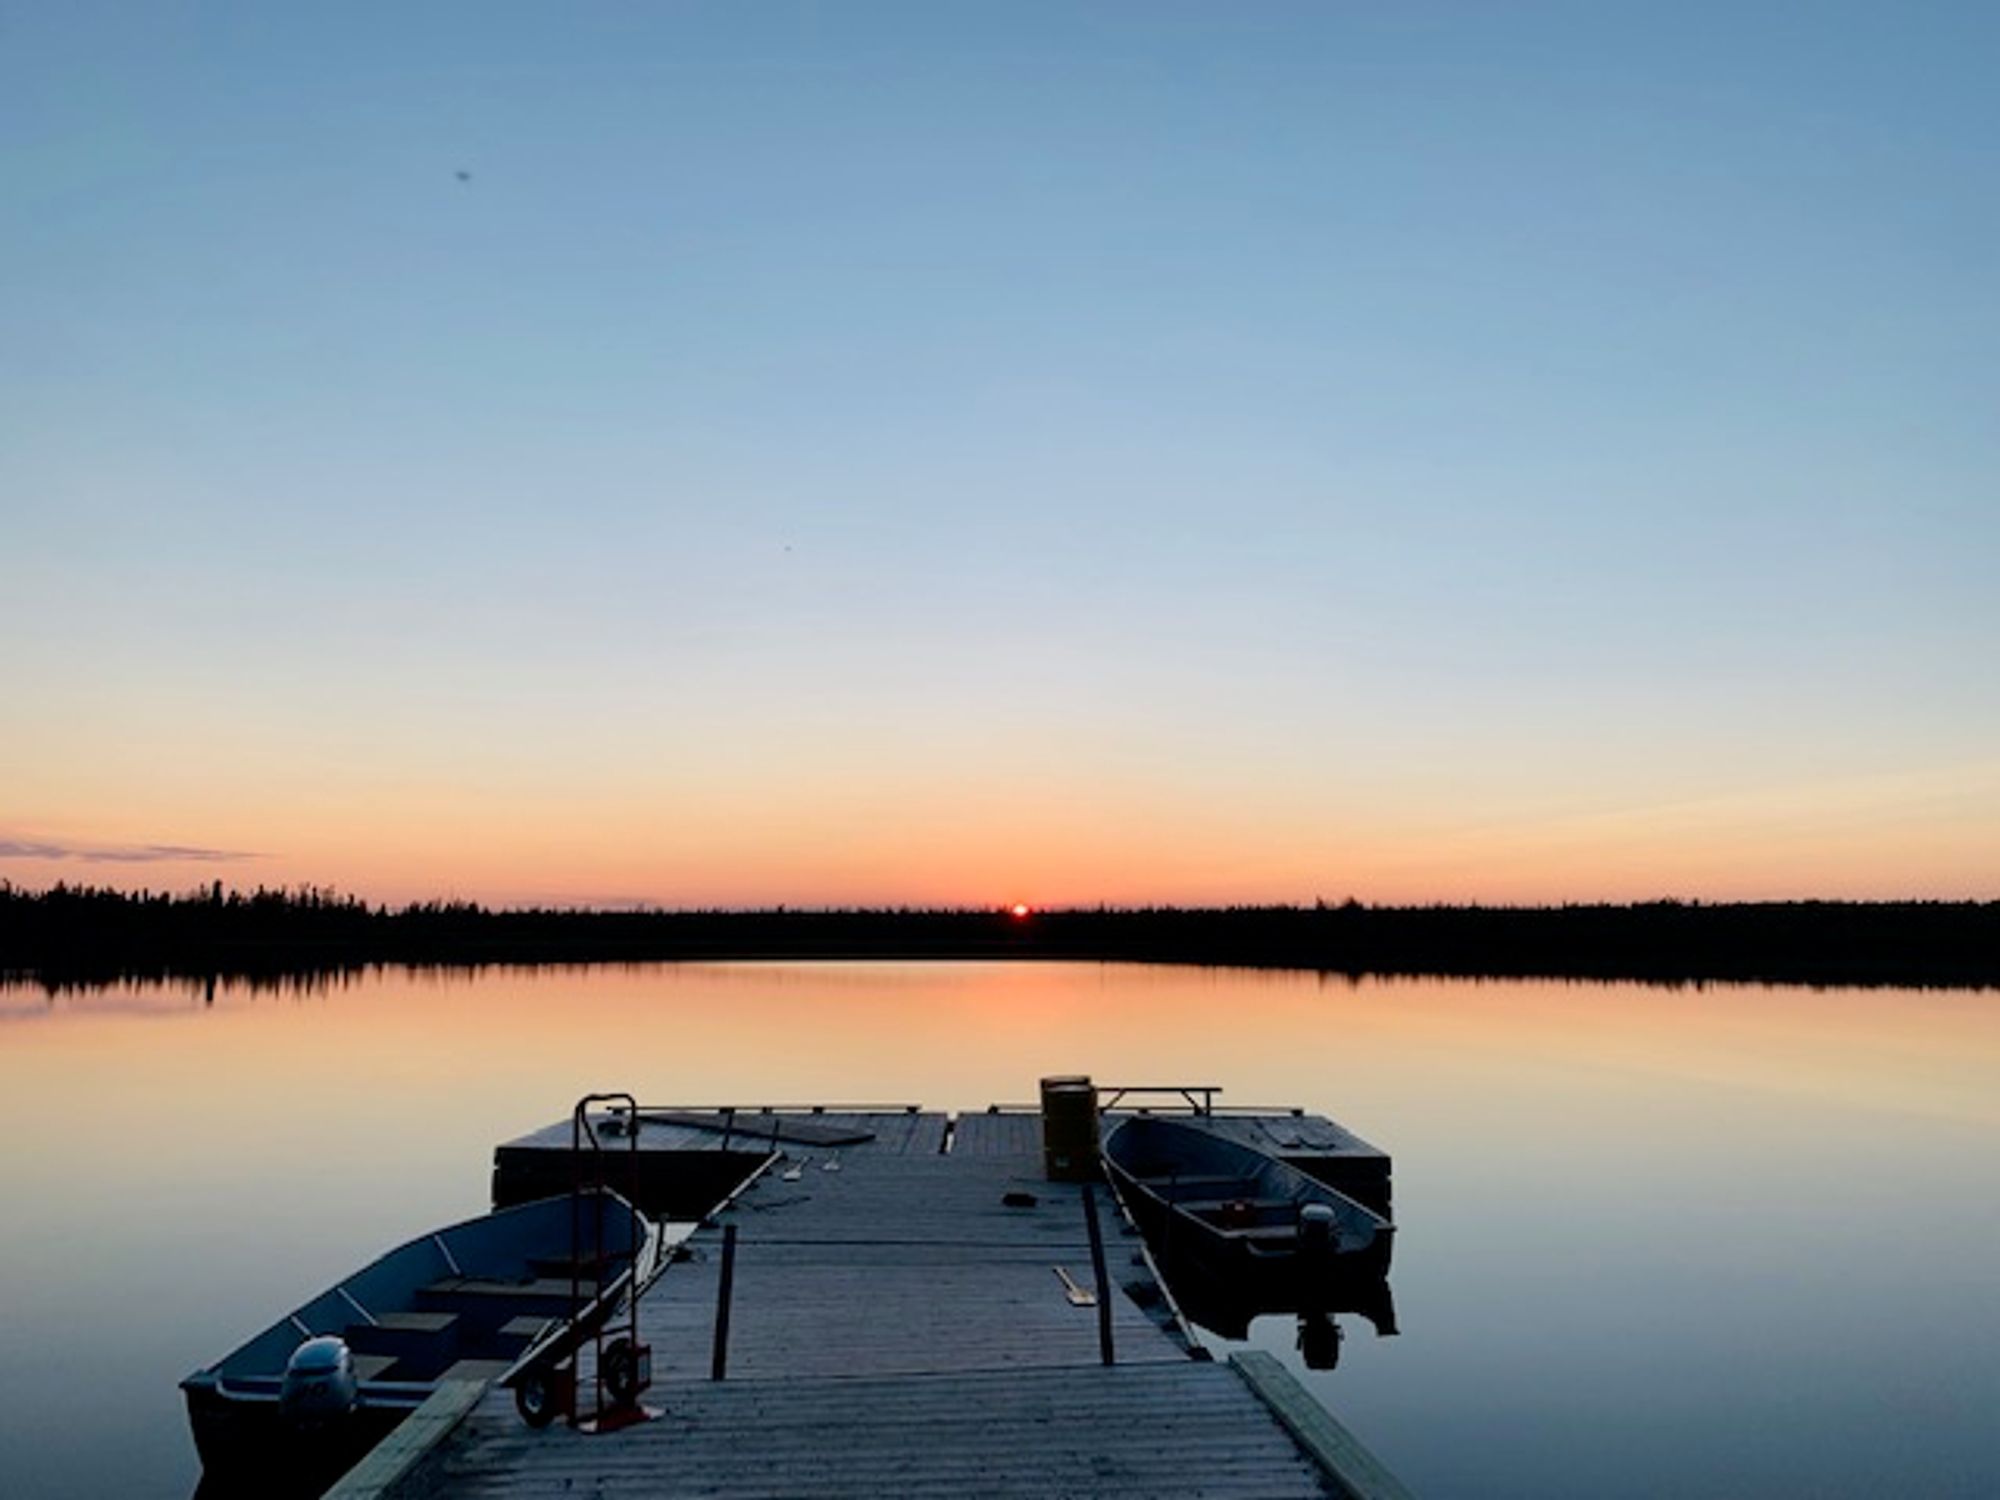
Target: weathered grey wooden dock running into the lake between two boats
913,1315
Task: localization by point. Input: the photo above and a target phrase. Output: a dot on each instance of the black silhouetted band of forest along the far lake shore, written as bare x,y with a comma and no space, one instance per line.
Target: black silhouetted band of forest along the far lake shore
85,935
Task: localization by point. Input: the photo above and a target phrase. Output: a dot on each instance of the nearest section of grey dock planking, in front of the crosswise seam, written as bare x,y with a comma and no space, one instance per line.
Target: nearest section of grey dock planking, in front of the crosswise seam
1129,1431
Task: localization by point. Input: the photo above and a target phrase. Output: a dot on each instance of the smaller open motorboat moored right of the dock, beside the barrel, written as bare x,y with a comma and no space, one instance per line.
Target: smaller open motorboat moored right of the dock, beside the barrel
1239,1217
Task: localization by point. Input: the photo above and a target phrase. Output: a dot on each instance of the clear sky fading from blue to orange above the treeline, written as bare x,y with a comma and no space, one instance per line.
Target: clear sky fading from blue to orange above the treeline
955,455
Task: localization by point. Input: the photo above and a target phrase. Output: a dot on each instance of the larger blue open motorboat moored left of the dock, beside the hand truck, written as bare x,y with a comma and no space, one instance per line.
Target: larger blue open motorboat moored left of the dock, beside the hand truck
479,1301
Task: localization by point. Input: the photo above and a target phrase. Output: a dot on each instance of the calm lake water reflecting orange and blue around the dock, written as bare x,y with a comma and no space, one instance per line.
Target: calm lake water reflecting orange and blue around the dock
1725,1241
